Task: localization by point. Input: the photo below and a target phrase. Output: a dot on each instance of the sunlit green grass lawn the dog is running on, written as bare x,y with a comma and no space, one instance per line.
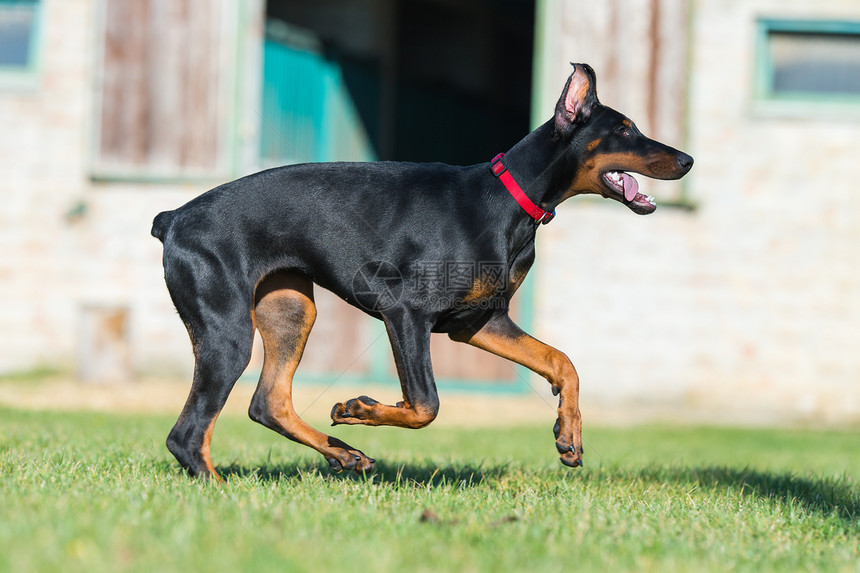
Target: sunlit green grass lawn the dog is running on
91,492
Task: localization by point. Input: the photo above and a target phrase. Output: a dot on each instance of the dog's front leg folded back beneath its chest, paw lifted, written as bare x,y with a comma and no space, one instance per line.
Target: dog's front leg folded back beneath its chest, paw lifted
409,334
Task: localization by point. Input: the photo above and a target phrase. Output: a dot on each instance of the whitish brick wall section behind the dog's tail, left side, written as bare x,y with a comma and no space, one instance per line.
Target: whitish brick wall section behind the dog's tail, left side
66,242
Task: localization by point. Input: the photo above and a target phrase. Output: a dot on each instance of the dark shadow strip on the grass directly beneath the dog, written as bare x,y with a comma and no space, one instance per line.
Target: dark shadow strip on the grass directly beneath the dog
411,473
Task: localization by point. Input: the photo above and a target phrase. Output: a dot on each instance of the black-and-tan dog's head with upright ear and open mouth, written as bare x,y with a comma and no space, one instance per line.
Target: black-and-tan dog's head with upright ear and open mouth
605,146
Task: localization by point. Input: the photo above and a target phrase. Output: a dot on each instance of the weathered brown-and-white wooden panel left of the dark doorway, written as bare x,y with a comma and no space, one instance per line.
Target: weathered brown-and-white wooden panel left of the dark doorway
164,91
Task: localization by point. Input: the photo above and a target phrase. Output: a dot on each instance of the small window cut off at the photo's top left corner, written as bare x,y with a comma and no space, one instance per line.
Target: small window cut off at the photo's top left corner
18,32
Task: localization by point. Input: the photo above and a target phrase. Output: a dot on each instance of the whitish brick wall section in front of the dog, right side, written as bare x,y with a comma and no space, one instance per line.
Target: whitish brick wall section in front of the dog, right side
747,307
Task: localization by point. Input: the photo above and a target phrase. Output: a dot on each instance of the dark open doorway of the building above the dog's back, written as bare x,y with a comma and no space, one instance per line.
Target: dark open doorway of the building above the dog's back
428,80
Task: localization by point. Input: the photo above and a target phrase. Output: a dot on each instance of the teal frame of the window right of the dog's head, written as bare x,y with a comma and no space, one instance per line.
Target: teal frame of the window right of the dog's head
764,95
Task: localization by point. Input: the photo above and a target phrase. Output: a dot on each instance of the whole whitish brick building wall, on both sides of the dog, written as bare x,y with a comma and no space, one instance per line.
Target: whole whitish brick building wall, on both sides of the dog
746,308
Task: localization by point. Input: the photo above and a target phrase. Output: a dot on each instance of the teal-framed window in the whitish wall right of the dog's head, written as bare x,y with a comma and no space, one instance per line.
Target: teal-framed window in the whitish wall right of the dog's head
817,60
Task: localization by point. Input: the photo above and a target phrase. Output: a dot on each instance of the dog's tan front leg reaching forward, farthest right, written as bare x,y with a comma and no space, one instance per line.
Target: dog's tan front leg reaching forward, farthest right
504,338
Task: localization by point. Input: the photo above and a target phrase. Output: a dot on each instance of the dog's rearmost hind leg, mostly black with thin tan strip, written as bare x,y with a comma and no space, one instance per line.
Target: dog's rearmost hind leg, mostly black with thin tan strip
222,351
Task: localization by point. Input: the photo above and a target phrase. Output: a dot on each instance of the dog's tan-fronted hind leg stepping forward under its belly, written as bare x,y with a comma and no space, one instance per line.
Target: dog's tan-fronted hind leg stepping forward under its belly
284,313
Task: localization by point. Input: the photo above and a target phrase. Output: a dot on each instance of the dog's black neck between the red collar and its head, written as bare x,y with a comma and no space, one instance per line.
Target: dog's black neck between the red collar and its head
539,165
